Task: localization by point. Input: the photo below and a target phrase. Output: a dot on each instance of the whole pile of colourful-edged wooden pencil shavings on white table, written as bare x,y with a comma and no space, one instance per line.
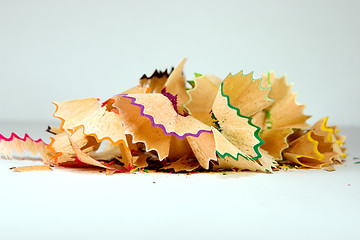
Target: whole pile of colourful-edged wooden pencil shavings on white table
170,124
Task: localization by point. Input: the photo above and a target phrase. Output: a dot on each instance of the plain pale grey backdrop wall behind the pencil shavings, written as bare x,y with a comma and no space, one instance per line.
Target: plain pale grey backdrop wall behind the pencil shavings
61,50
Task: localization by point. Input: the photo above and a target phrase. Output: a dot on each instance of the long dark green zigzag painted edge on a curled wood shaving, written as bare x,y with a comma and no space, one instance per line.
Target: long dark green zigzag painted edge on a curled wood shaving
256,133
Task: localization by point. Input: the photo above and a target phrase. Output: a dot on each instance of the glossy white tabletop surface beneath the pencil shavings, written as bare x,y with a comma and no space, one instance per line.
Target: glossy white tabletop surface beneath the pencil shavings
75,204
